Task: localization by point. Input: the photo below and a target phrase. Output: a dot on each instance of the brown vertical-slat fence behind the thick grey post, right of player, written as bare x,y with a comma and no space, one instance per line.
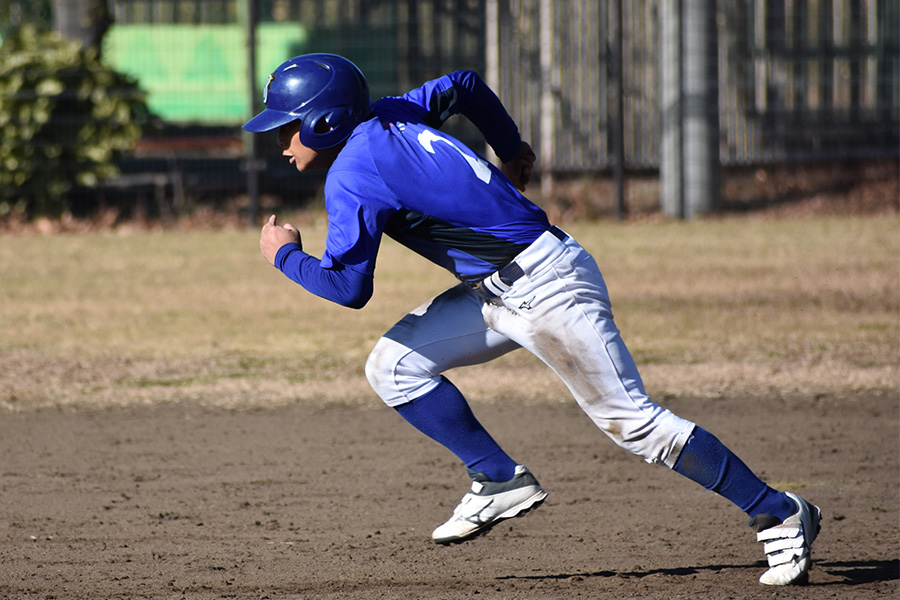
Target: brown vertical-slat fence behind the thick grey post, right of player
799,80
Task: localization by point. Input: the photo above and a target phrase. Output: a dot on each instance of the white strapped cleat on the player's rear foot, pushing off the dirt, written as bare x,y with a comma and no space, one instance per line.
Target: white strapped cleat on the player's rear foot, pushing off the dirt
787,544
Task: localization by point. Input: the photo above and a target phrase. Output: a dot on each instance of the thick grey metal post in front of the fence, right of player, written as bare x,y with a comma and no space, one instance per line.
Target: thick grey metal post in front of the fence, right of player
690,150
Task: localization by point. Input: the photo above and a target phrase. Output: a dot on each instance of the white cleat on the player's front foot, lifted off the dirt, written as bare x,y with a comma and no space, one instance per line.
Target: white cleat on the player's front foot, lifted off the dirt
488,503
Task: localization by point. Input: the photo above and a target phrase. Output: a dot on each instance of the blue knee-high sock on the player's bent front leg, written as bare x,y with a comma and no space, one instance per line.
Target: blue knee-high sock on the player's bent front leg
444,415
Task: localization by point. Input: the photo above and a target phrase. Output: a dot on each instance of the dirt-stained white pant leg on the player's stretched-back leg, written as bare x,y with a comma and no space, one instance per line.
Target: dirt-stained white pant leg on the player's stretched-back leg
560,311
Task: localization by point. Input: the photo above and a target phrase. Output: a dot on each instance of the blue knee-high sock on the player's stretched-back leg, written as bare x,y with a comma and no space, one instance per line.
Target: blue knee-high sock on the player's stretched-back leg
707,461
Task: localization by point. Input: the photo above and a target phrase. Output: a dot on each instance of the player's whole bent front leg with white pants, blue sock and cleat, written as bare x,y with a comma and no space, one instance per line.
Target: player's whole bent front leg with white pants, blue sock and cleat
405,370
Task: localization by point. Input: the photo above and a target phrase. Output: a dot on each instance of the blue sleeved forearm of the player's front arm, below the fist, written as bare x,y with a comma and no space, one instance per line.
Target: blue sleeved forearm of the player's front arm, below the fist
342,286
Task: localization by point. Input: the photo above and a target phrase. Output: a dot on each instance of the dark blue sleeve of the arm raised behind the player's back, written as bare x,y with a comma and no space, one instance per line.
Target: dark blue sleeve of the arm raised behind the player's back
465,93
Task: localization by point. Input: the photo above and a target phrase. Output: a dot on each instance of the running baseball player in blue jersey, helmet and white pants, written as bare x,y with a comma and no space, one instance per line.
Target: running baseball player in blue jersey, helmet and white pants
524,283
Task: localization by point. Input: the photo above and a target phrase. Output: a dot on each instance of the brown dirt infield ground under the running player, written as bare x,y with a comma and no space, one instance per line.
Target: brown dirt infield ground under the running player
181,501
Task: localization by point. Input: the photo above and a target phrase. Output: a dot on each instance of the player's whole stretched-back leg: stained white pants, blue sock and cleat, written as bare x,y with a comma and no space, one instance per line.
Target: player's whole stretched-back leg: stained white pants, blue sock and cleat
561,312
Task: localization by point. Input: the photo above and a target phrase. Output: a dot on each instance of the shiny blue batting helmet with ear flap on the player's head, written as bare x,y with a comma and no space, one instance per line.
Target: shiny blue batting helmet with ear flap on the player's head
327,93
